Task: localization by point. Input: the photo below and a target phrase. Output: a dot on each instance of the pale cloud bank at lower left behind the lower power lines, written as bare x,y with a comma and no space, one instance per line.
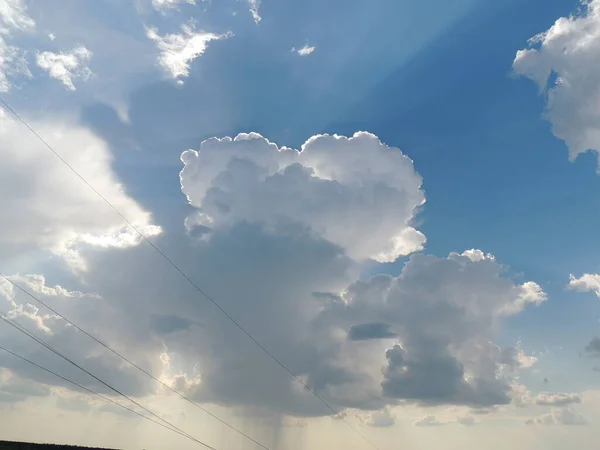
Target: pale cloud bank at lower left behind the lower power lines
88,310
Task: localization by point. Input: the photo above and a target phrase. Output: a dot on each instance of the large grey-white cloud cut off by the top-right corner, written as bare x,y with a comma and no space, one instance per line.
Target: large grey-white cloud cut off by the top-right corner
563,62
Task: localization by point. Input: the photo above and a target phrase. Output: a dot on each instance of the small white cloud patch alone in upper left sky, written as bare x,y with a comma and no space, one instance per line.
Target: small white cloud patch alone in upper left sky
66,66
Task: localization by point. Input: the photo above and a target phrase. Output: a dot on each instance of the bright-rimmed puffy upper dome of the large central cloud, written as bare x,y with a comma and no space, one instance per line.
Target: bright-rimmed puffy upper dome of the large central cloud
249,178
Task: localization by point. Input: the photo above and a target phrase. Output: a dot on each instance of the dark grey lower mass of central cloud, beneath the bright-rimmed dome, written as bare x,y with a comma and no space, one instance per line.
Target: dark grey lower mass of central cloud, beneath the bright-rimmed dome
444,312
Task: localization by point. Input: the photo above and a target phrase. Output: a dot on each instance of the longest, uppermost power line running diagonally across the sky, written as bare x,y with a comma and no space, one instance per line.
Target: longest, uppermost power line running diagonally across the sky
184,275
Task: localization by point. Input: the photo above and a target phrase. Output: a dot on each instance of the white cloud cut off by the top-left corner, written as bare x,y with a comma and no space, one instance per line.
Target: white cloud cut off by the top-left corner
13,62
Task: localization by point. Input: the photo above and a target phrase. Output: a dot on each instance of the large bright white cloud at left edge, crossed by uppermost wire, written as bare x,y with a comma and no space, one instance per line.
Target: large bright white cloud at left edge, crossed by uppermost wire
46,206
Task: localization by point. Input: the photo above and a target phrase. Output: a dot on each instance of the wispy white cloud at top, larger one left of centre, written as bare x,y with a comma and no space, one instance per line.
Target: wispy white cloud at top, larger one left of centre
177,51
